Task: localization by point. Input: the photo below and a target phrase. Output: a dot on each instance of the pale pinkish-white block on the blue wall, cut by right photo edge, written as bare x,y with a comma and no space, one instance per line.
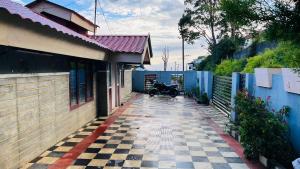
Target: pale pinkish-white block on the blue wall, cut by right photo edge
291,79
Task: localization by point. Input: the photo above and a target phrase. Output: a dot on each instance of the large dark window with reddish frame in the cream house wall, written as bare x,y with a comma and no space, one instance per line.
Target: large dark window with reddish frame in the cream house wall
81,83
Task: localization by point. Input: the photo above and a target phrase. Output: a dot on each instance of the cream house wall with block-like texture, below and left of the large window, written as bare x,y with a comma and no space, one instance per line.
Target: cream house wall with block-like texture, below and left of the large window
35,114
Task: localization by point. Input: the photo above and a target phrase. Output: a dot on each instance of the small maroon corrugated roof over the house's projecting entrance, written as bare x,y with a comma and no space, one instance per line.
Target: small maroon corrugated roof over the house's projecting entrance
128,44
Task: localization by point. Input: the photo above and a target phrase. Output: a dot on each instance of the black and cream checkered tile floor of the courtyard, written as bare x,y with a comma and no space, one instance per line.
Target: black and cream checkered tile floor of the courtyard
157,132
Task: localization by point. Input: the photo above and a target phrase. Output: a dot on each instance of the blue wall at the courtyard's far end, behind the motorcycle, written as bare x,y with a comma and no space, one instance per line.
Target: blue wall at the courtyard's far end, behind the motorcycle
138,79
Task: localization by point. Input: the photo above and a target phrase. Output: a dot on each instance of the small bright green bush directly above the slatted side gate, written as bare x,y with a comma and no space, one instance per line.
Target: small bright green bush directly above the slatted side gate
226,67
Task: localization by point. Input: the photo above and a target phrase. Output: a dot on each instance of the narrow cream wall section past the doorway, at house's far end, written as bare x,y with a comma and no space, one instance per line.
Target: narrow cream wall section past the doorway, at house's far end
127,89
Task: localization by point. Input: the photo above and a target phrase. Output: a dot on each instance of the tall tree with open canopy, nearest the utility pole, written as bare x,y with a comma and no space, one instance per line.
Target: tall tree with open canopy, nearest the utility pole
222,23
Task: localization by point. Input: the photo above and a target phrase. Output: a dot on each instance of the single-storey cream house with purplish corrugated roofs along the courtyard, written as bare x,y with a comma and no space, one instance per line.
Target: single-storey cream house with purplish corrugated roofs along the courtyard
55,77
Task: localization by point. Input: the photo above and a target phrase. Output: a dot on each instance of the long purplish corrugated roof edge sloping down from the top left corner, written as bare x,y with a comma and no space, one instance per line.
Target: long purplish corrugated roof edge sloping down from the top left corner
25,13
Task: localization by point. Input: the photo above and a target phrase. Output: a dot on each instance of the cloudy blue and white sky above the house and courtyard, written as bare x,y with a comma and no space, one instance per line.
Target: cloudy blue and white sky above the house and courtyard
159,18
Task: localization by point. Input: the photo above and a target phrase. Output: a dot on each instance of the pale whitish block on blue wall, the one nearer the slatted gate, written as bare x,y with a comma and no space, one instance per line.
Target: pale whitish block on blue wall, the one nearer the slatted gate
263,76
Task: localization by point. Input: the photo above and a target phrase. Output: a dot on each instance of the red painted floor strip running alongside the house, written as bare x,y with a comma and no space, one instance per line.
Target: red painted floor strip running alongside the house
67,160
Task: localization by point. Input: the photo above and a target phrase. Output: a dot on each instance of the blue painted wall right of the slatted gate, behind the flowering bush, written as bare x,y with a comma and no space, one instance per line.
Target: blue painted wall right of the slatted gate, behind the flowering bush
280,98
